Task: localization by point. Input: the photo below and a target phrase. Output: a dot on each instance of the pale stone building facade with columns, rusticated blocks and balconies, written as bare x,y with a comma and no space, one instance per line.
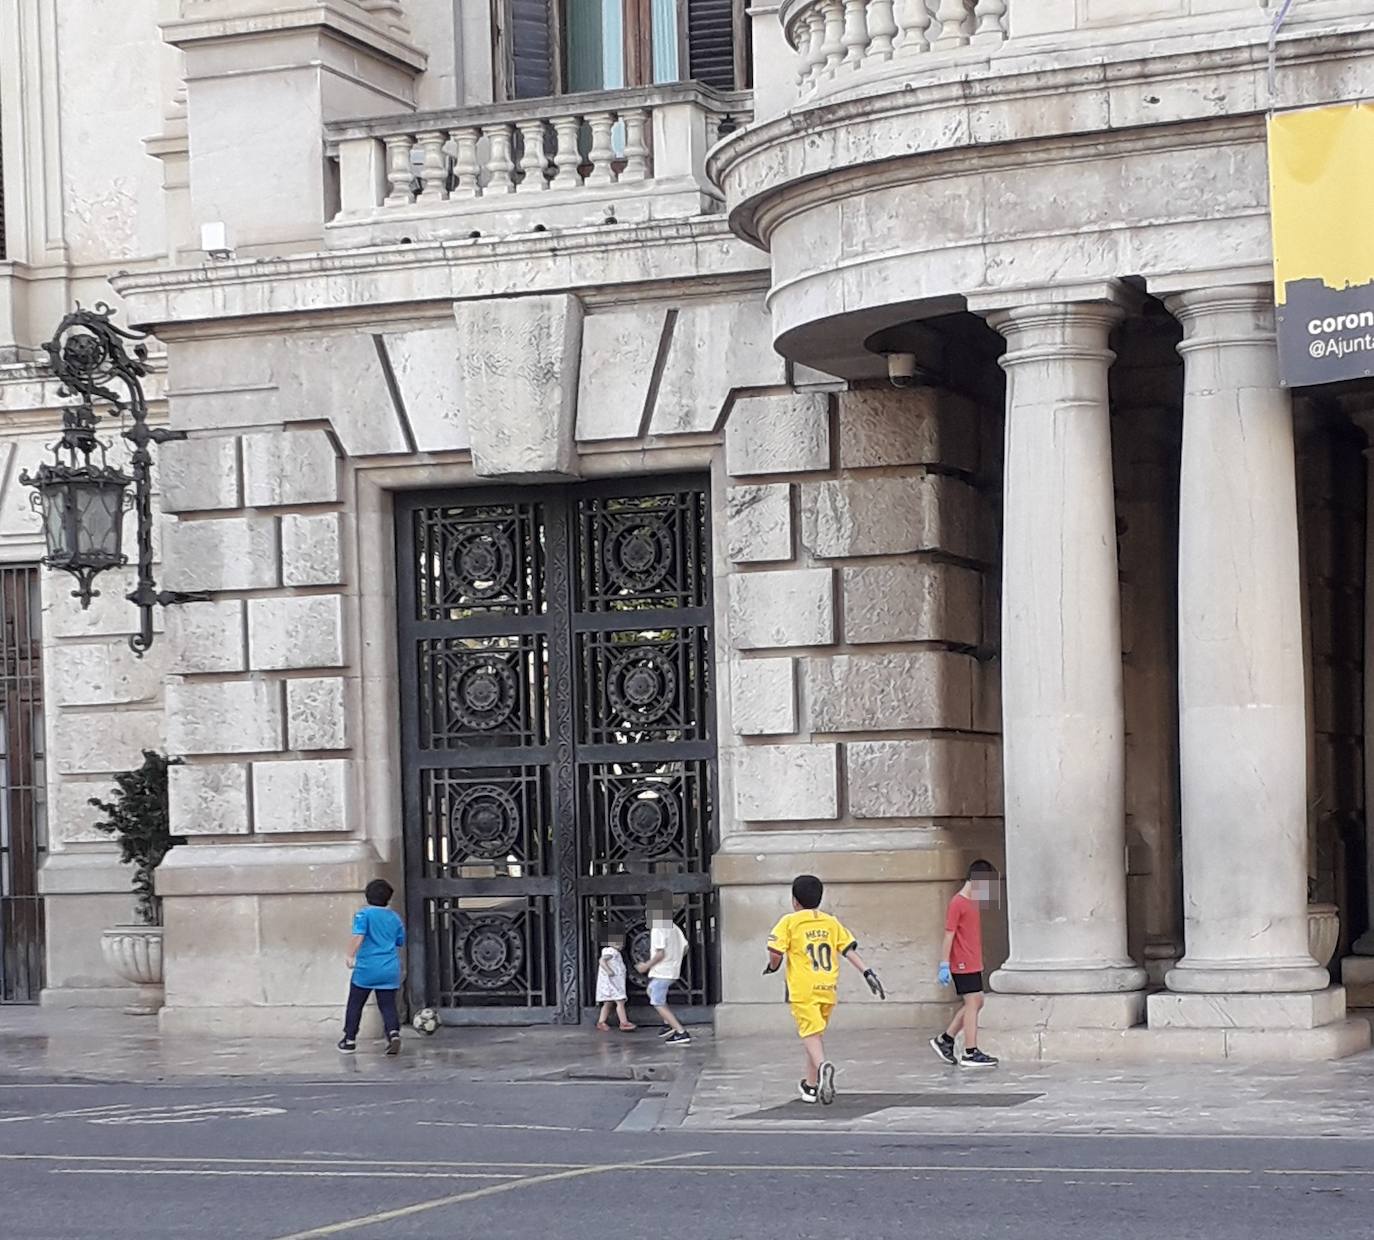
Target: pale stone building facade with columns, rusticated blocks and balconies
1075,601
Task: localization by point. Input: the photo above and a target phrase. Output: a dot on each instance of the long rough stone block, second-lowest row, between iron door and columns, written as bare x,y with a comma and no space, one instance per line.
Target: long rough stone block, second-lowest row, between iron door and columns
924,689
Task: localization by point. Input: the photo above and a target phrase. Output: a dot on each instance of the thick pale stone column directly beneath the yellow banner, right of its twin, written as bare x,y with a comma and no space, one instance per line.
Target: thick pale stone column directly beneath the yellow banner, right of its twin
1243,727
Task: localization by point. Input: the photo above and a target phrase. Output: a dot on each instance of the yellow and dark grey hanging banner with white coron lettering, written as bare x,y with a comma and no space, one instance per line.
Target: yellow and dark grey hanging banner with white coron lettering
1322,214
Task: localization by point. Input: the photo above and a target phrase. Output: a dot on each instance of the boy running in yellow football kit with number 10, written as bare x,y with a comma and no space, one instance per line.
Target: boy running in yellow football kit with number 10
814,944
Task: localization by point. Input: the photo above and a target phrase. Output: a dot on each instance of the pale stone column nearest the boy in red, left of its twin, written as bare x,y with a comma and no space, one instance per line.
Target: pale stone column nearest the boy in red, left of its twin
1061,661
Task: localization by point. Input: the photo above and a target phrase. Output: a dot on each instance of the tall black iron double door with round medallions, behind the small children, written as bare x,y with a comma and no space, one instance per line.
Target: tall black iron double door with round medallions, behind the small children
559,739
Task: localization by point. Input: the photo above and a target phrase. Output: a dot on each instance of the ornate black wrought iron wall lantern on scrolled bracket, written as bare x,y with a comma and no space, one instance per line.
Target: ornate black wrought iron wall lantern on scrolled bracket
80,494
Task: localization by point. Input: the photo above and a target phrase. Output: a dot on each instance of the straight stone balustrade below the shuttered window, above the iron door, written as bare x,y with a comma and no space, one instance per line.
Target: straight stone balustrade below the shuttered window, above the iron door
531,166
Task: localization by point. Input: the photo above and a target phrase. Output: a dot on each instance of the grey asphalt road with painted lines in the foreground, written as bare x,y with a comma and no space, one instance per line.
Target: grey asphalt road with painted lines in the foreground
563,1160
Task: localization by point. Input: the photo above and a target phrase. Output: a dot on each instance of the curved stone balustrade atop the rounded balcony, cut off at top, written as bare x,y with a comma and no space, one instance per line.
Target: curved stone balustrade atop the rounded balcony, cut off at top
839,39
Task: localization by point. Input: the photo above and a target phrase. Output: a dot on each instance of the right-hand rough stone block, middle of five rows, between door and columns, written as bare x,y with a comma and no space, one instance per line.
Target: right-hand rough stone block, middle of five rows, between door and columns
913,603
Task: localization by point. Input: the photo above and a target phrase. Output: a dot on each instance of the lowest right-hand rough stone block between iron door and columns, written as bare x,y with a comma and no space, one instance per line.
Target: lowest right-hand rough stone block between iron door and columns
934,777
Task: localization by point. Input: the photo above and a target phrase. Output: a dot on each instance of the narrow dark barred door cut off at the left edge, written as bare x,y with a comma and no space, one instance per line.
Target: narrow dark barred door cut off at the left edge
21,784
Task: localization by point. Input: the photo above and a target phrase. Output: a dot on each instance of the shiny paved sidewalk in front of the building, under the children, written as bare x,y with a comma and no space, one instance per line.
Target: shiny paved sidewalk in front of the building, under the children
890,1081
